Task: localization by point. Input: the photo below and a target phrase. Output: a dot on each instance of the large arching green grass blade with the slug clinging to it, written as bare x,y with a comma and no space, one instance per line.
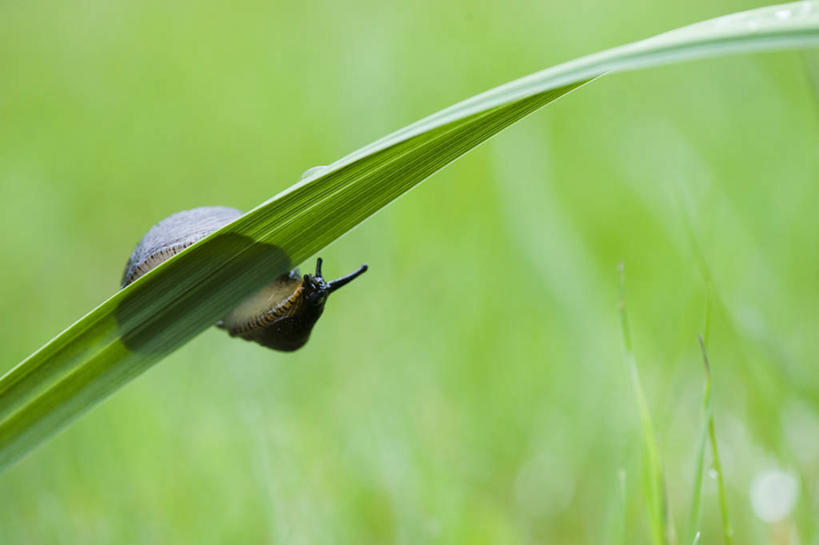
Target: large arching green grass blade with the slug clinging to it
167,307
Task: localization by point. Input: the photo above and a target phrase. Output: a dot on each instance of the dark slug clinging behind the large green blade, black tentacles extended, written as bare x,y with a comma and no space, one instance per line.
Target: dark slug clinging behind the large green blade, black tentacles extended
280,316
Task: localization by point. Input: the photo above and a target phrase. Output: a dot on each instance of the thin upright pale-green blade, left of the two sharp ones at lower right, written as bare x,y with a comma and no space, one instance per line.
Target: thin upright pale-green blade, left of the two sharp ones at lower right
654,482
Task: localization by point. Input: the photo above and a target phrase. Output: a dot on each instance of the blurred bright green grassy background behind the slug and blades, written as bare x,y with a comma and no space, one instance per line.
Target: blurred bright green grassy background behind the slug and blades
470,388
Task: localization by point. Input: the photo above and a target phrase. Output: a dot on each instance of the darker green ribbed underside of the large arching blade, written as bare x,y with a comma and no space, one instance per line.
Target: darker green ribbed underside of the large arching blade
150,326
